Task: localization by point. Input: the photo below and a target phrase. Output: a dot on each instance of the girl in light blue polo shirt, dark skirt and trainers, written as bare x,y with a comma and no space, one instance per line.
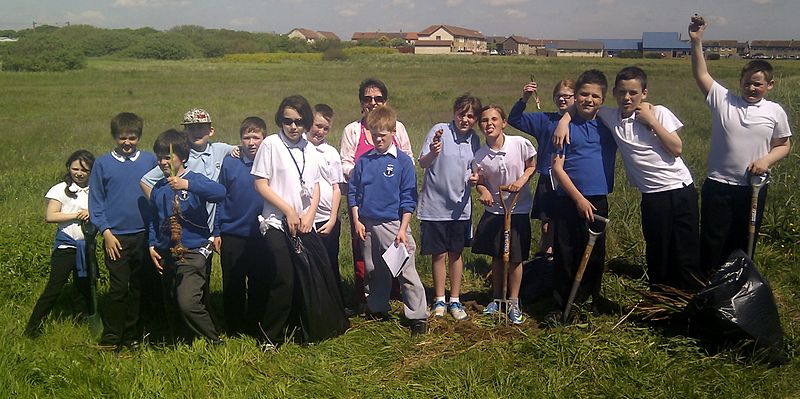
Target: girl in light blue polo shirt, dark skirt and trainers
445,206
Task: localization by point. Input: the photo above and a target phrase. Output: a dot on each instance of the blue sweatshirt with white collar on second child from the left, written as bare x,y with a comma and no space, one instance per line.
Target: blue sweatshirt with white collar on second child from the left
116,201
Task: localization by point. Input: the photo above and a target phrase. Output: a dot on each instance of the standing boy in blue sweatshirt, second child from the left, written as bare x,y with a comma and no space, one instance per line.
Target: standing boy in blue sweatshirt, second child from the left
120,211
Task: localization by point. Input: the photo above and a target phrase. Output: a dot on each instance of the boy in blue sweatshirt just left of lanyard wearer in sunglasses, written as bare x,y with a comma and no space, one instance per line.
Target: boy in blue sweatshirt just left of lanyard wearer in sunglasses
240,242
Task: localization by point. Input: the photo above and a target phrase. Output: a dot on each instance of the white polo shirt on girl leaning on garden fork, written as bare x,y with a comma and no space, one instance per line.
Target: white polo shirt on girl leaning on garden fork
503,167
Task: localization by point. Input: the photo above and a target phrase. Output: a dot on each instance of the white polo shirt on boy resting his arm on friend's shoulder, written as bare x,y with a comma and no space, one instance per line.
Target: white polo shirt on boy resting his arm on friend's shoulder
649,166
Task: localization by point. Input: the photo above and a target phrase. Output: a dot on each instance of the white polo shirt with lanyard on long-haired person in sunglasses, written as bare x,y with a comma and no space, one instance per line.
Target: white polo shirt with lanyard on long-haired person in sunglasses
274,162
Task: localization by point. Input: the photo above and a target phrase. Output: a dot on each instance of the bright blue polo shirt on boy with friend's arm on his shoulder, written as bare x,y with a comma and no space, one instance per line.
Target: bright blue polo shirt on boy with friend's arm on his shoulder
589,157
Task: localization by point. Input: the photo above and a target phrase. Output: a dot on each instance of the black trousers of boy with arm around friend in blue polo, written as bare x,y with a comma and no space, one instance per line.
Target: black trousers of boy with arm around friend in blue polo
671,228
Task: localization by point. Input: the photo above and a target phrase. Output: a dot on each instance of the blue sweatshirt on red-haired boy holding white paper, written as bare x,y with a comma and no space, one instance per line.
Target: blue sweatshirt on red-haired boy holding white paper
383,186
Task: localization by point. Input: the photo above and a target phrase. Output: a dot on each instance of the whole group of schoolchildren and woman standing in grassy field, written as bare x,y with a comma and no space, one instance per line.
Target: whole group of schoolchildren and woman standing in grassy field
271,208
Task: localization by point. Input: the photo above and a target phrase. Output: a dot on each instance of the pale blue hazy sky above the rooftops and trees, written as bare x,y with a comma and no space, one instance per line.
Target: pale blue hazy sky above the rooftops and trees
609,19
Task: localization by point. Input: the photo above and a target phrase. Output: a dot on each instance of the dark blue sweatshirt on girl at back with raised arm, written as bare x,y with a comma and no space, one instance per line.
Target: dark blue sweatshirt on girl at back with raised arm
541,126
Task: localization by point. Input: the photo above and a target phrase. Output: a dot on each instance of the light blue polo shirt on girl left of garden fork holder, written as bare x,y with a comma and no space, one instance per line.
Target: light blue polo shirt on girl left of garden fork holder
445,191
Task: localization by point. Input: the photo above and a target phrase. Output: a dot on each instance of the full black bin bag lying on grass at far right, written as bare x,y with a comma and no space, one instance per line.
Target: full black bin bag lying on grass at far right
737,304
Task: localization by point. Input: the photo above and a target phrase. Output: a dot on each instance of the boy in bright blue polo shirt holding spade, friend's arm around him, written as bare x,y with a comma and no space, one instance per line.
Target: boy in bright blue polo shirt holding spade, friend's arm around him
584,169
